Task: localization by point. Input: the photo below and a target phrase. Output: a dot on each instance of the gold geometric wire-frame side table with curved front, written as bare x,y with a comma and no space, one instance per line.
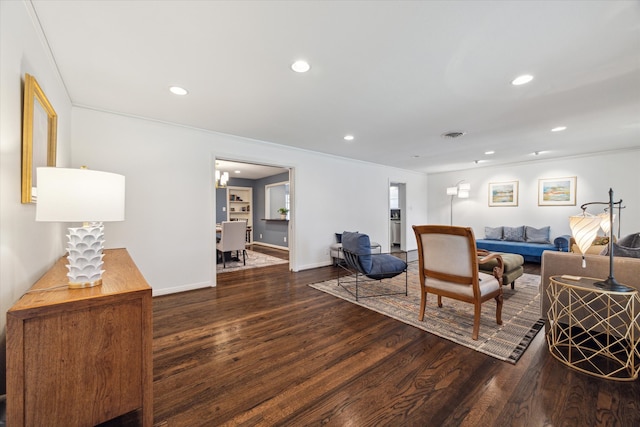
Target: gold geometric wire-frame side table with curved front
594,330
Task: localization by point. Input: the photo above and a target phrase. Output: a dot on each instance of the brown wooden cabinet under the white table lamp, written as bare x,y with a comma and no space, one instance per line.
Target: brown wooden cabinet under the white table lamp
80,357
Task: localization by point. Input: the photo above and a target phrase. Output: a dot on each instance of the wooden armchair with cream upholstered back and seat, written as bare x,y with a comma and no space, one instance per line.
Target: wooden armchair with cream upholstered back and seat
448,265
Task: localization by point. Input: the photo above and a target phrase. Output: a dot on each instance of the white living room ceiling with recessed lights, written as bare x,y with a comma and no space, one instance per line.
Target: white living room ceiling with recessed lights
395,74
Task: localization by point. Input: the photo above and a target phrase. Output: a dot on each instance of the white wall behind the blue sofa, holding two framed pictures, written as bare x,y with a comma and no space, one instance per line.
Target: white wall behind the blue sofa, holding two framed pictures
595,175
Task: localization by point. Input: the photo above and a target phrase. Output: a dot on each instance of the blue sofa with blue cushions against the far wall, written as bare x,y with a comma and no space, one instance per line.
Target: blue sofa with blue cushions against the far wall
530,249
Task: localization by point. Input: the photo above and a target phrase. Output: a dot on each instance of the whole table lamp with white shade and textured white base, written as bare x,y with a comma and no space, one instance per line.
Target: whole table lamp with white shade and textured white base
87,196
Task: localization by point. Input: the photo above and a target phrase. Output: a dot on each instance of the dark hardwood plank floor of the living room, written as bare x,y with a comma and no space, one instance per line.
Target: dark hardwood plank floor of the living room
265,349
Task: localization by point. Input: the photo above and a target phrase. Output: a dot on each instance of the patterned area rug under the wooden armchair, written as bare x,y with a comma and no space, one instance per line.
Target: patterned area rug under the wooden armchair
454,321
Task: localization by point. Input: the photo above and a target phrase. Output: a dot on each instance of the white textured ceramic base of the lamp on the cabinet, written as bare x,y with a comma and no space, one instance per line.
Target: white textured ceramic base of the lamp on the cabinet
84,247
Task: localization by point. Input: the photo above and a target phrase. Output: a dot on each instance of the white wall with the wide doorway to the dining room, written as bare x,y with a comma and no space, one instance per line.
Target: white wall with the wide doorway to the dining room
170,209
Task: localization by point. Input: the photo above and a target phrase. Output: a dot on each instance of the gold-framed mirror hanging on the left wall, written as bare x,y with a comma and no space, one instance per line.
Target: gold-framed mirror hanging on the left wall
39,133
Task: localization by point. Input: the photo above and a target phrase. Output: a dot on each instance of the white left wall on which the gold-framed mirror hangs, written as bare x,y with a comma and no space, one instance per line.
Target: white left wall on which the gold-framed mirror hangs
27,248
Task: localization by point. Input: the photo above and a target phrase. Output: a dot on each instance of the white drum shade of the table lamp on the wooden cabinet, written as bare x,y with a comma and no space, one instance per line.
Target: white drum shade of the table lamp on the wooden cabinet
79,195
